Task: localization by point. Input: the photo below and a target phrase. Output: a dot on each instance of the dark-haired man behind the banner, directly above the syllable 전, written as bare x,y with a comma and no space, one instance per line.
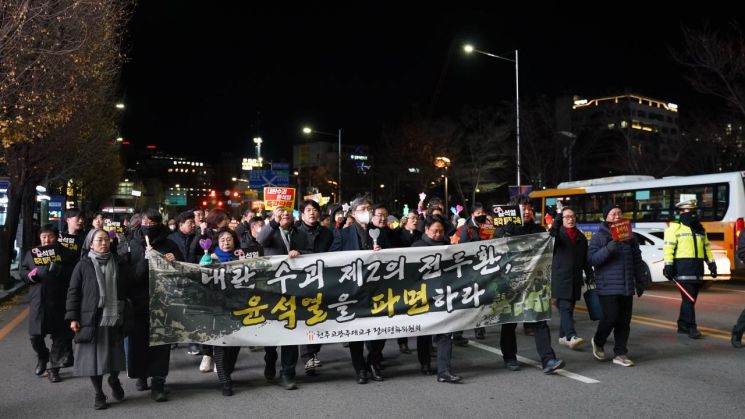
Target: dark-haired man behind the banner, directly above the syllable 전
434,235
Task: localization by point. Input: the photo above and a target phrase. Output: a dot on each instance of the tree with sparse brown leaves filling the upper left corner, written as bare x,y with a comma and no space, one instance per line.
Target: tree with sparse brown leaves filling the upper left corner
57,57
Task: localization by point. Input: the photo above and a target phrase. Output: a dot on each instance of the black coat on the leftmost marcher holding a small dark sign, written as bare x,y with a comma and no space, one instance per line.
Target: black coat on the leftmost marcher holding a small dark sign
48,291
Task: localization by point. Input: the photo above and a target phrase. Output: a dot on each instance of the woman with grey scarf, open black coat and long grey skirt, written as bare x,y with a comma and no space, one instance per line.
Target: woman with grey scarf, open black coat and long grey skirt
95,311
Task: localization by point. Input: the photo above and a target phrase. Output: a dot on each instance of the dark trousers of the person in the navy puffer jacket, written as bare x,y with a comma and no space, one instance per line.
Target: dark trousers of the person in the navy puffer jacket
617,319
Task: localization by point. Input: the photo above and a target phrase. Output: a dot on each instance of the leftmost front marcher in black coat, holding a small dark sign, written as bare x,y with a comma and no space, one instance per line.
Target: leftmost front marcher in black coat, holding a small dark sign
47,270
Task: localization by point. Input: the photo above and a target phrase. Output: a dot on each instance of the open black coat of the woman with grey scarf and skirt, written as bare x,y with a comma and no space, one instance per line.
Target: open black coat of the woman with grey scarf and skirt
82,297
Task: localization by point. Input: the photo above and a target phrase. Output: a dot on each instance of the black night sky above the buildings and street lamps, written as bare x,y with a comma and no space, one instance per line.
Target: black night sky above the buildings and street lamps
204,77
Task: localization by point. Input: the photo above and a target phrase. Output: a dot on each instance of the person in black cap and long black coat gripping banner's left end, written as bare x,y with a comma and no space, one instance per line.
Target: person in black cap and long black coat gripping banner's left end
143,360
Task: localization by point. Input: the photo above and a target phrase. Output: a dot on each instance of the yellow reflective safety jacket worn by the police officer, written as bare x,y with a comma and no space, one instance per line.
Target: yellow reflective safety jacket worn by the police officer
686,250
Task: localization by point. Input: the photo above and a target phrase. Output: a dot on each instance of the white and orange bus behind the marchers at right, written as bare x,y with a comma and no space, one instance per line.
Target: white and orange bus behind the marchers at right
650,203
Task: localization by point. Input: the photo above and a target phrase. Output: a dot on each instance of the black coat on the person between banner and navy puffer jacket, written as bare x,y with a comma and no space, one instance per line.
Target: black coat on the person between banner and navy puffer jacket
569,260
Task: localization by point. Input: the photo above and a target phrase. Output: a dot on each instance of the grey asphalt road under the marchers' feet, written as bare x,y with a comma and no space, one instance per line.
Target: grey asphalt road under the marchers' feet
674,376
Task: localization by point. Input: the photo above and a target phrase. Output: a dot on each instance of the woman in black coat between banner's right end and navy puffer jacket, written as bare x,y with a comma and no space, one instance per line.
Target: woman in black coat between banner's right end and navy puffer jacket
570,260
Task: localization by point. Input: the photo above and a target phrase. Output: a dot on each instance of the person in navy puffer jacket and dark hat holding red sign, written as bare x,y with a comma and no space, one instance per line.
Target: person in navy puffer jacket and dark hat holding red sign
619,273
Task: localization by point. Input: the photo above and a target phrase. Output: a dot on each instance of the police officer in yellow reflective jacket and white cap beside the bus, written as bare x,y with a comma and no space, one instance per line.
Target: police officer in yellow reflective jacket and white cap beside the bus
686,247
